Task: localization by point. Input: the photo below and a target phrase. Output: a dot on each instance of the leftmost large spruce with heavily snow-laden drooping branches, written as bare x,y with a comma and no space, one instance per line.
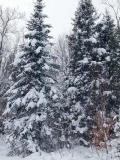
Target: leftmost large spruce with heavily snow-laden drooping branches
30,96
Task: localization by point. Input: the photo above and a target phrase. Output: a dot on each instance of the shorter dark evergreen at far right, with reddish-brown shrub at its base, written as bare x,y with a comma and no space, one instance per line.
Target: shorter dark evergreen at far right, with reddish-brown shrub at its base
104,85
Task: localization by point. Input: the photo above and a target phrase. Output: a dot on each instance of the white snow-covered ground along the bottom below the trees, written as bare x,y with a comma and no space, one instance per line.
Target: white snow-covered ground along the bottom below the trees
79,153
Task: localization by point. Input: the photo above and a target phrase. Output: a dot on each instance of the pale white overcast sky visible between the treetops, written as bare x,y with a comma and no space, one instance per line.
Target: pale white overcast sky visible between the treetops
59,12
